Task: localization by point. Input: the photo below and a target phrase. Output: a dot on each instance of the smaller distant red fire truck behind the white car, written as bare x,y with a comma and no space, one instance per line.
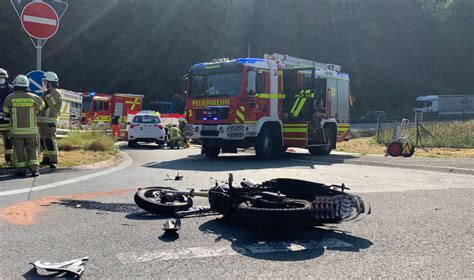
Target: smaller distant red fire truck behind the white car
98,107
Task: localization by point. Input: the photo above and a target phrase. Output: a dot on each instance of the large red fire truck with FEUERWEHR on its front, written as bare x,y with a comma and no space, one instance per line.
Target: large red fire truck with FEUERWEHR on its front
271,104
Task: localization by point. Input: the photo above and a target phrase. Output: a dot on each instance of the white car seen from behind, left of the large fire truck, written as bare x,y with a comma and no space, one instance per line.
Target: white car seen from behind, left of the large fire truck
146,127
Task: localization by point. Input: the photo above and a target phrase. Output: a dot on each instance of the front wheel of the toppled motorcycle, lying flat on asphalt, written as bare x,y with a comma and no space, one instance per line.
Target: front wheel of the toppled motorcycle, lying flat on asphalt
145,201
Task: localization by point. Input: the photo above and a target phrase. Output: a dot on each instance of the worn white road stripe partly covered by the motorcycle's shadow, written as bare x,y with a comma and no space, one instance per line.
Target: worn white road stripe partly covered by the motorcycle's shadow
255,248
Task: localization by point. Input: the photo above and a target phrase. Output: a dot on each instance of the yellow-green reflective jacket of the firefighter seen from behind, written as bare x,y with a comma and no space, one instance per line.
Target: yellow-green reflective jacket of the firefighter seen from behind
23,108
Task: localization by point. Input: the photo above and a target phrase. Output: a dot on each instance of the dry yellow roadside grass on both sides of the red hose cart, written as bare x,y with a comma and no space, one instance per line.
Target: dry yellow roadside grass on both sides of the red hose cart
366,145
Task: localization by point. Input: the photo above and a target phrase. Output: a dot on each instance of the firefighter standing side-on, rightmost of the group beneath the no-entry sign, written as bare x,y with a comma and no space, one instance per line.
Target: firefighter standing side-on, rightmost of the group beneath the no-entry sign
48,119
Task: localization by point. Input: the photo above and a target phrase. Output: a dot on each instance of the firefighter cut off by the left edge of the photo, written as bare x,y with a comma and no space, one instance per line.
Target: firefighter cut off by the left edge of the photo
5,90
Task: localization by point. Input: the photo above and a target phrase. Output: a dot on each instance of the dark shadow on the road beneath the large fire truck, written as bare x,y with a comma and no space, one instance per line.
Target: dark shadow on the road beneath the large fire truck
245,161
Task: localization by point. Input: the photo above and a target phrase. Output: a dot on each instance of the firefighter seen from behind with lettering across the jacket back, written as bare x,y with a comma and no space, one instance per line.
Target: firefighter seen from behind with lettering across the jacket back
22,107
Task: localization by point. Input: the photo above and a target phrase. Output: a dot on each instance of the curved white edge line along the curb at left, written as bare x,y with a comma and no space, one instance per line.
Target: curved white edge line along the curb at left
126,163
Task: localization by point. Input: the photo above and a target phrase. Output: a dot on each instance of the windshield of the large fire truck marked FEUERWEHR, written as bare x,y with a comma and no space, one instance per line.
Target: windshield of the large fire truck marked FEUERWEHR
216,85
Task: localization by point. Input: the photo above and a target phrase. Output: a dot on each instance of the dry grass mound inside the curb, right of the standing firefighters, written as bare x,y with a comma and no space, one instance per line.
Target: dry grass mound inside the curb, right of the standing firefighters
87,140
